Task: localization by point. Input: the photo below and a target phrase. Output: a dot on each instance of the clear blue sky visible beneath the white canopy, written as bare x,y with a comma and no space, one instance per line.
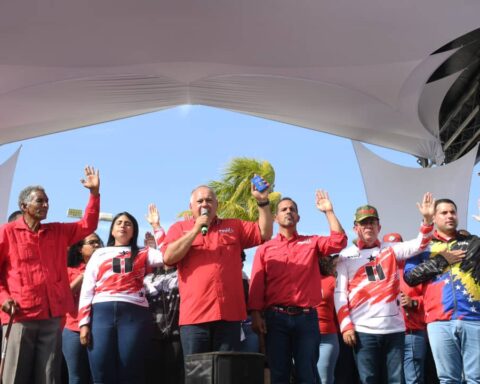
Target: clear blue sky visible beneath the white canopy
160,157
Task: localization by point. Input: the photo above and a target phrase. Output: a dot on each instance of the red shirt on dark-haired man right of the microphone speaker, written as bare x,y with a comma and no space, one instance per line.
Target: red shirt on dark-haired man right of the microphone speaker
286,272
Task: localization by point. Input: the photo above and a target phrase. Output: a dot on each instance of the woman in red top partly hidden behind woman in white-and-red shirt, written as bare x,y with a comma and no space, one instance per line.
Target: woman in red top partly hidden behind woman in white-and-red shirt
75,354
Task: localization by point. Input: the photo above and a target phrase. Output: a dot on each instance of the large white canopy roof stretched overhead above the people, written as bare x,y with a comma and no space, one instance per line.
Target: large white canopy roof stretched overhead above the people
354,69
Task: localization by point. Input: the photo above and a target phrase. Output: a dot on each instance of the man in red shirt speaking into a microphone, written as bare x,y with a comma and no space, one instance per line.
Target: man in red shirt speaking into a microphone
210,270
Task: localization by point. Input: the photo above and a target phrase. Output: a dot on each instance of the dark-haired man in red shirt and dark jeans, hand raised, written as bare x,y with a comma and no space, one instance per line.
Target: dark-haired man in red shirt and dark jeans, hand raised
286,287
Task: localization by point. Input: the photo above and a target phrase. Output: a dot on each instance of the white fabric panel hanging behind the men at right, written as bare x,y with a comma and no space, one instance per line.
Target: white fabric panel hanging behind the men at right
394,190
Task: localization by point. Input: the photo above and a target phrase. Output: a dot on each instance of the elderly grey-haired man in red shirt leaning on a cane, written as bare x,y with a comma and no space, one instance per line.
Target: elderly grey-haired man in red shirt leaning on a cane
34,283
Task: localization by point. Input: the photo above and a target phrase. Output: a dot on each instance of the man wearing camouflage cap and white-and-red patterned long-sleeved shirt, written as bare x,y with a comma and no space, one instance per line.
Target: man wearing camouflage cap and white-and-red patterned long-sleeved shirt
367,290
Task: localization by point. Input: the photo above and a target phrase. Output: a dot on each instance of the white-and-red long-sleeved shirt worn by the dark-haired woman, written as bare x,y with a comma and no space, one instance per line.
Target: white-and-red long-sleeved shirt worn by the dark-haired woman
110,276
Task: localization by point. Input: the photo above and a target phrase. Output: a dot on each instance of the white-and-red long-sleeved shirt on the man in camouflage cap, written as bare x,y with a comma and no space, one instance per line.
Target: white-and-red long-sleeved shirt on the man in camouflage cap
368,285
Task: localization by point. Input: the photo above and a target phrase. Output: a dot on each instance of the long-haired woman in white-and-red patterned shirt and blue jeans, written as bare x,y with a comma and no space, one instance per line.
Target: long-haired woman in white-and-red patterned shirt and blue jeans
115,320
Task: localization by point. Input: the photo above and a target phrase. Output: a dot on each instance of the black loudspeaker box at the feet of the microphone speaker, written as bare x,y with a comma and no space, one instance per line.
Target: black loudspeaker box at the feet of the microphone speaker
224,368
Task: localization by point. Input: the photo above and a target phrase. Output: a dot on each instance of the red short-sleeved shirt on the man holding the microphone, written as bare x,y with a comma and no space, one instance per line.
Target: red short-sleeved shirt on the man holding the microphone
210,274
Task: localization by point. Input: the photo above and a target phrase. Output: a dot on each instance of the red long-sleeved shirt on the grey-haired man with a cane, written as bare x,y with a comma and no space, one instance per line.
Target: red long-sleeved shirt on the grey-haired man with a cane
33,265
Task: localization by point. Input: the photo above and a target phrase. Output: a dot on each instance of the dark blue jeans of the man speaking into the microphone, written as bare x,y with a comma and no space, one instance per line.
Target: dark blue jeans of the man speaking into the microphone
210,337
